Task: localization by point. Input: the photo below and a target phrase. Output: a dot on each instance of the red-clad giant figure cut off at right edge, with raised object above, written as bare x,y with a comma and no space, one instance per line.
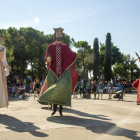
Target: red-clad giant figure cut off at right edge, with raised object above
136,84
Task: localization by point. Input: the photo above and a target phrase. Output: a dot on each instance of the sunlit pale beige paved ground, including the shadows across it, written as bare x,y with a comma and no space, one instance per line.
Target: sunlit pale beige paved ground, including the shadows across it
88,119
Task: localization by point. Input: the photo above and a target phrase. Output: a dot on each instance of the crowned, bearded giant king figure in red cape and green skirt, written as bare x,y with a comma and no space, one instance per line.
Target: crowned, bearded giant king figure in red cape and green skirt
62,76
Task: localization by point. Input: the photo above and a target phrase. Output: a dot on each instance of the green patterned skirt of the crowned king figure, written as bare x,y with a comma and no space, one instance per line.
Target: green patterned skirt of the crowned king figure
58,91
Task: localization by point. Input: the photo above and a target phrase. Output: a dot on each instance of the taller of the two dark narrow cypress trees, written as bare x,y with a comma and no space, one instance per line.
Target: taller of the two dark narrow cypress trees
107,66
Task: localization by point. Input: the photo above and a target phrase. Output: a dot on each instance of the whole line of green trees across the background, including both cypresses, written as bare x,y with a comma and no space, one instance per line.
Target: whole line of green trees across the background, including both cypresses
27,46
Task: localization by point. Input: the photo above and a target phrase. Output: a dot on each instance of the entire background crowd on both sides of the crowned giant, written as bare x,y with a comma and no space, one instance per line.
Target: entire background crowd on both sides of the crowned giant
17,87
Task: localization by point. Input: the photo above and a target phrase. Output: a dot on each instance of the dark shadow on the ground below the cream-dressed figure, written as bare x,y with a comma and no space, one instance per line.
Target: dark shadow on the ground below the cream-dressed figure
14,124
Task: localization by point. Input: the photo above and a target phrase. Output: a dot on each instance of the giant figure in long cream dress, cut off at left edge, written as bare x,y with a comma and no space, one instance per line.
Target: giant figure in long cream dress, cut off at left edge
4,67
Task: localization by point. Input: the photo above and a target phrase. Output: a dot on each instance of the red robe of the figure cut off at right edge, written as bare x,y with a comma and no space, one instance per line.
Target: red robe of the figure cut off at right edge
136,84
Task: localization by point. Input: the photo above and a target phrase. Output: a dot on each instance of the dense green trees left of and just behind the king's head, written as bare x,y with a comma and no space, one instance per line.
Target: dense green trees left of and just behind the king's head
28,46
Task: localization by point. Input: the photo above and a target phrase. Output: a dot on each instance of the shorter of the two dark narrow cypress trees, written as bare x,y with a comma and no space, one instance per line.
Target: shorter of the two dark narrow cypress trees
96,58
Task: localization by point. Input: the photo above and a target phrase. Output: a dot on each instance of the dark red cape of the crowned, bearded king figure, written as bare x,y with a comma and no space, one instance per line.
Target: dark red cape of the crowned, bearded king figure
68,59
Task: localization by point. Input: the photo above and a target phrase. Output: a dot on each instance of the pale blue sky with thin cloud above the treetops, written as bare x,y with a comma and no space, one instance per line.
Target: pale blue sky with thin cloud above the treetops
83,20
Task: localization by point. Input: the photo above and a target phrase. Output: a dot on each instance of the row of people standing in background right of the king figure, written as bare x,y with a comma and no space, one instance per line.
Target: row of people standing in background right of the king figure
86,88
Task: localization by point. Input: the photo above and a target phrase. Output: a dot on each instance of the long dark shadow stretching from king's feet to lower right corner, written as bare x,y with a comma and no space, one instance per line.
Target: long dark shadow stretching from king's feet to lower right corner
96,126
